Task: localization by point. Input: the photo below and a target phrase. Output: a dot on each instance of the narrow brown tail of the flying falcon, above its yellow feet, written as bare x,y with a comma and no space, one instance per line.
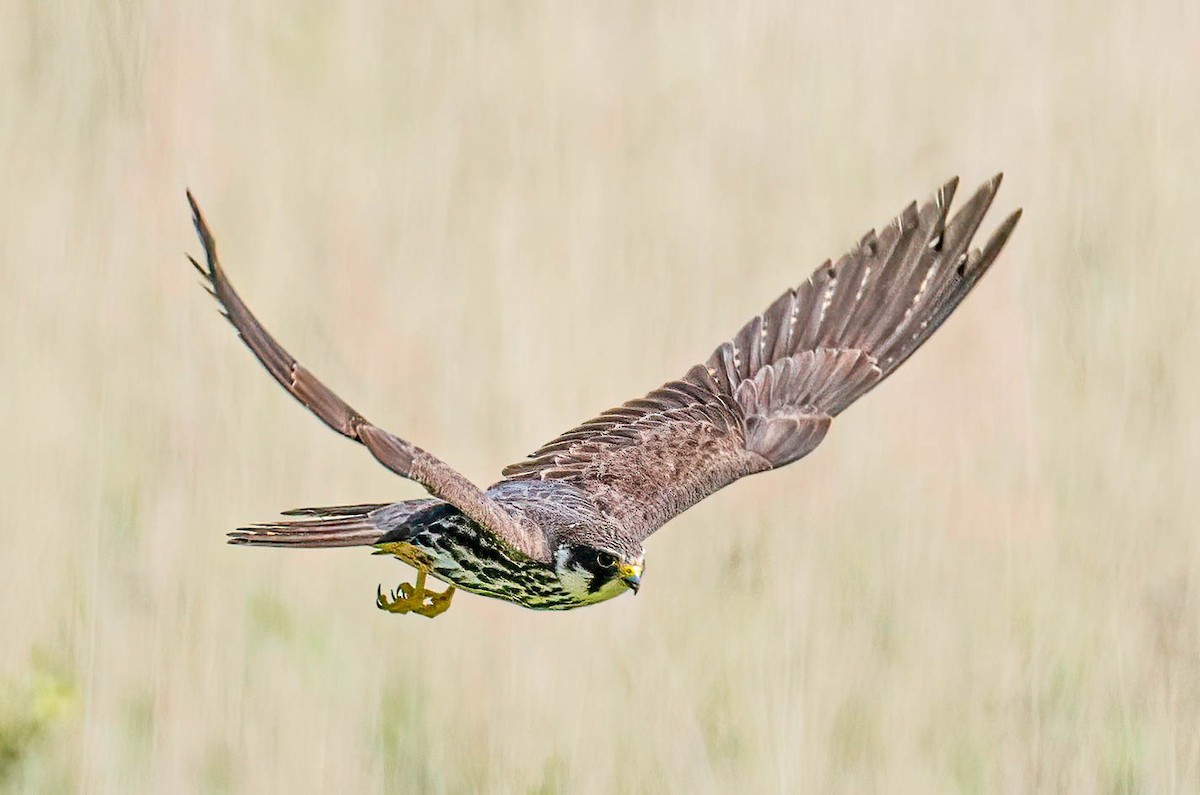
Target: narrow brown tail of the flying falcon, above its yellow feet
335,527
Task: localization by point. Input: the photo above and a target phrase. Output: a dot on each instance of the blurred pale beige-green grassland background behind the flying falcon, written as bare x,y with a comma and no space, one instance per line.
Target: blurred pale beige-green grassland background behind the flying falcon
483,224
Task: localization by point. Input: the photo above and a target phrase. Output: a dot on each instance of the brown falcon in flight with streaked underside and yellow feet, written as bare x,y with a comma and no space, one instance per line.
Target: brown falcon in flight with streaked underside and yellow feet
566,528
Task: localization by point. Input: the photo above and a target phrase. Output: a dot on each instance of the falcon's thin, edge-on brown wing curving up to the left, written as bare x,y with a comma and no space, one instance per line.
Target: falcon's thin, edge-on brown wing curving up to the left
403,458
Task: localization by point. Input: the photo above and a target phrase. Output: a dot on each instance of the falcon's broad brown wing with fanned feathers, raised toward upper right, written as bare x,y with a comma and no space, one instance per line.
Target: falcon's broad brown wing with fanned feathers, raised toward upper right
767,398
